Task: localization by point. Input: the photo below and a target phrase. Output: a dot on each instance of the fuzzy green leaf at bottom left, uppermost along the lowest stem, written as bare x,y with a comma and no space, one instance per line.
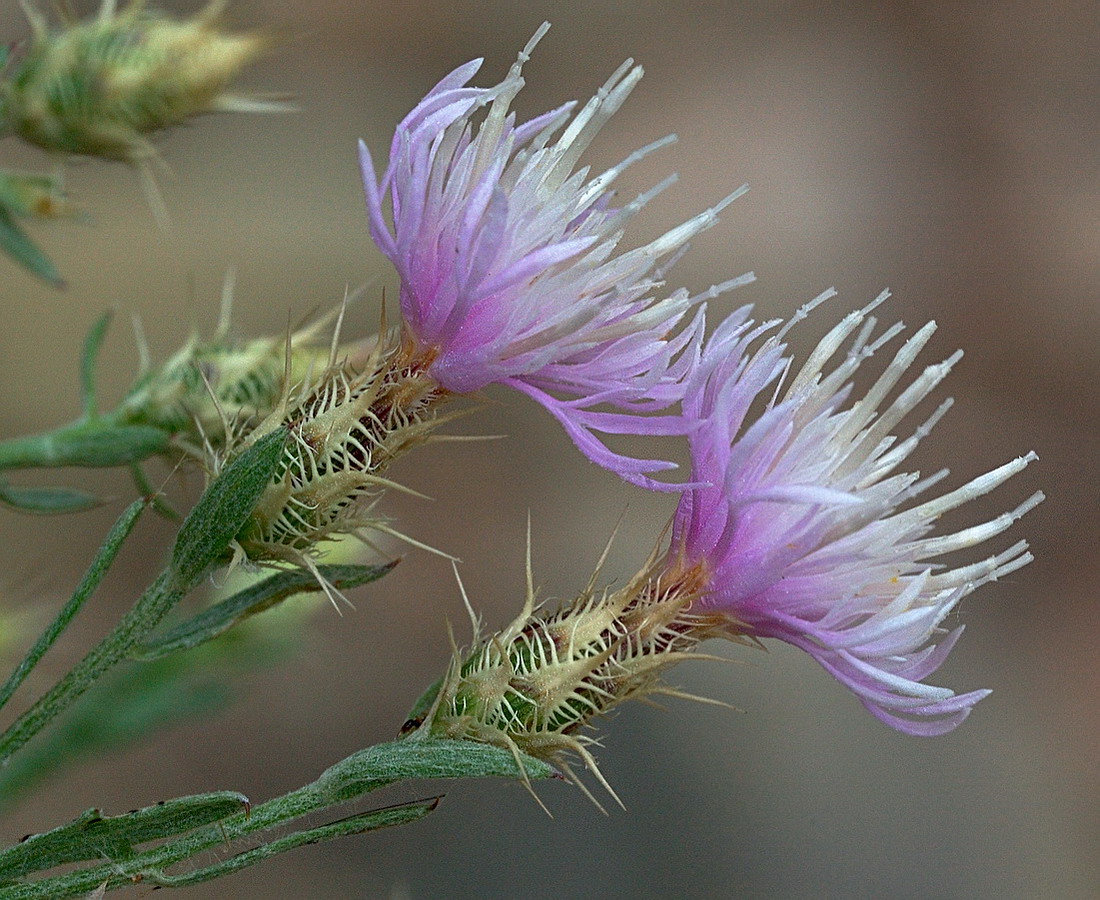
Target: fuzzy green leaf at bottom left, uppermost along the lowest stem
92,836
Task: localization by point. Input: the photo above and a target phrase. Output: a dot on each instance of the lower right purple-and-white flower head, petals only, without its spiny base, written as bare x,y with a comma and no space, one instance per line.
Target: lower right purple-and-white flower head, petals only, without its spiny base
804,529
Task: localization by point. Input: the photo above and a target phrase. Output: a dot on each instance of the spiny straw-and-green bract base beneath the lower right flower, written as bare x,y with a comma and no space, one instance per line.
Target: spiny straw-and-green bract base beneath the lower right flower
536,686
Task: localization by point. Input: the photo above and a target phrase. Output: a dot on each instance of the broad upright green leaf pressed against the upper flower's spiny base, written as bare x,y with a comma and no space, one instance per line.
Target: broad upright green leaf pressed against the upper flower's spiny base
225,509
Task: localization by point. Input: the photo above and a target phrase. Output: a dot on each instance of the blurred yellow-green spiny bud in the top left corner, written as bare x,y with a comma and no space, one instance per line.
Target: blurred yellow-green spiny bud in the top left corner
103,87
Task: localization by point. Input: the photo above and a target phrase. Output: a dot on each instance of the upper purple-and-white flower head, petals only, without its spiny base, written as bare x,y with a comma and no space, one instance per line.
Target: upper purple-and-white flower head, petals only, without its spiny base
508,264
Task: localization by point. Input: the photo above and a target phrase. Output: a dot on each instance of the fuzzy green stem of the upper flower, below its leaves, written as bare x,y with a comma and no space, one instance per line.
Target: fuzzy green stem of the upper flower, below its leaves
144,617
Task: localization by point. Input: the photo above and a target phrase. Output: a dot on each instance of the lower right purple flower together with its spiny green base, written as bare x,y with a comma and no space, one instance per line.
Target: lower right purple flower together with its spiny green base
797,526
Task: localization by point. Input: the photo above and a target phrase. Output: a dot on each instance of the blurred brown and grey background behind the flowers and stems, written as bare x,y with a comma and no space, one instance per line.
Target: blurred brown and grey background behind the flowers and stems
948,151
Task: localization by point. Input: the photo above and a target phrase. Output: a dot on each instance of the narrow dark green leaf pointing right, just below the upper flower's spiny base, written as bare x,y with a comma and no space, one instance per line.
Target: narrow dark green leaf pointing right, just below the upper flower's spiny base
223,617
